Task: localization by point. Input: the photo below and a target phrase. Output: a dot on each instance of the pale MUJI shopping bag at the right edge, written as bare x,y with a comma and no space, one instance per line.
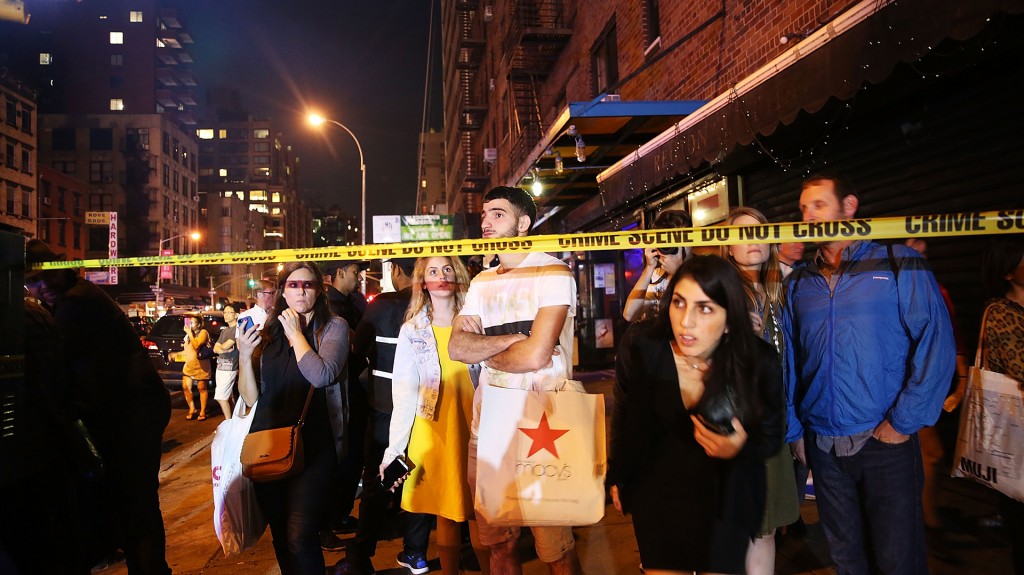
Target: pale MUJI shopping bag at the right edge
991,443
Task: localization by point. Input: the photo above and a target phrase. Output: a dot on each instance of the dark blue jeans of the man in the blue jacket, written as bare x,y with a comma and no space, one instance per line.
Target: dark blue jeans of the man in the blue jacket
870,504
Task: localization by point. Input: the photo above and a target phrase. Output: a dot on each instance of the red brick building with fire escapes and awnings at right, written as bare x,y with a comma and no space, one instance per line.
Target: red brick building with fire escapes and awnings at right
674,104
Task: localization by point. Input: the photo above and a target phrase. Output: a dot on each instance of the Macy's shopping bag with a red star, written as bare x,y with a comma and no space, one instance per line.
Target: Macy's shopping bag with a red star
541,457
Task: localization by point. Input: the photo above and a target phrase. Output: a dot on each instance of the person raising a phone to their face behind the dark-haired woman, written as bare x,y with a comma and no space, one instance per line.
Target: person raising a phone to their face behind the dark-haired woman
662,263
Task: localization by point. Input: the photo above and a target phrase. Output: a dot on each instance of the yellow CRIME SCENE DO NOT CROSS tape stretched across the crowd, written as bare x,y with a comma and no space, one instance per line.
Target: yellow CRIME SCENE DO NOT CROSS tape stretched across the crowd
968,224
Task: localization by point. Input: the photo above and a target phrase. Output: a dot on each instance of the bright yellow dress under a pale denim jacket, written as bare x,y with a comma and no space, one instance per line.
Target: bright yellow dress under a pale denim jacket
440,449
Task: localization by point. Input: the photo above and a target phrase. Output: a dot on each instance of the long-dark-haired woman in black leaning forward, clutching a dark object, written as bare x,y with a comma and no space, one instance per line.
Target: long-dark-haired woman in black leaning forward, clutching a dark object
699,404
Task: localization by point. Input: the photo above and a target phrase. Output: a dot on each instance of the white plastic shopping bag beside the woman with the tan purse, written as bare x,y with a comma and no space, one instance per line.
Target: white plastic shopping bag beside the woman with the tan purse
236,514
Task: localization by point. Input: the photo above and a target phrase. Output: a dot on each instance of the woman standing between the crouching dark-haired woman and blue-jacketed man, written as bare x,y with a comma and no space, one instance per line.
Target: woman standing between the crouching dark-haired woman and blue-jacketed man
759,267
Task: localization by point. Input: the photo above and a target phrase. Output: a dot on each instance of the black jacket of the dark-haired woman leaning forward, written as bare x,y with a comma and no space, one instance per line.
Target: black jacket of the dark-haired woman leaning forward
653,436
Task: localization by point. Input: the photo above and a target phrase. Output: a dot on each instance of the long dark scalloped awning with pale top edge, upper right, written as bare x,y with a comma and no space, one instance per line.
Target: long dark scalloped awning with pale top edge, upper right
862,47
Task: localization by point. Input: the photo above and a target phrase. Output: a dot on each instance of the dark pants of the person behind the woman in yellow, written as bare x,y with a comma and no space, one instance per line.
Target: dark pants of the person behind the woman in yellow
376,501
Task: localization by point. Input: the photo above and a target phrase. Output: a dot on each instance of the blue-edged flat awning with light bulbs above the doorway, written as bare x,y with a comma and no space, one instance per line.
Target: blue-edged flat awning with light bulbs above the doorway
611,129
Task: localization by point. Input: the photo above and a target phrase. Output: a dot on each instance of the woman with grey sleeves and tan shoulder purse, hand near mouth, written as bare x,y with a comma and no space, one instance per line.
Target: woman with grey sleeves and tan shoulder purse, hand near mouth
303,346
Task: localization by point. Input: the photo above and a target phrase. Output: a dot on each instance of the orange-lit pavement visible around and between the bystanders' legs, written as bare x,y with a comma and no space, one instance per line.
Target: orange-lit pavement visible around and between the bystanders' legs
608,548
